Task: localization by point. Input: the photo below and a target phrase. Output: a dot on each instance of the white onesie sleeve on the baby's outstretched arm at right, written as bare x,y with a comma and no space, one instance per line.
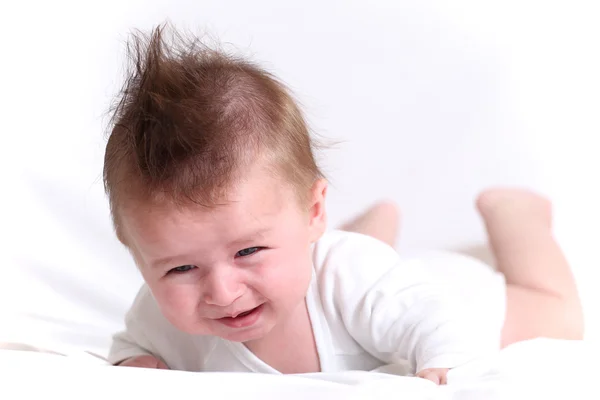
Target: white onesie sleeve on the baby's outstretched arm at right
393,309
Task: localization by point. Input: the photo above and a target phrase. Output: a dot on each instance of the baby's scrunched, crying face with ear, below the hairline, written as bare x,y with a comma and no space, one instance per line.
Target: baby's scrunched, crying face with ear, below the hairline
234,271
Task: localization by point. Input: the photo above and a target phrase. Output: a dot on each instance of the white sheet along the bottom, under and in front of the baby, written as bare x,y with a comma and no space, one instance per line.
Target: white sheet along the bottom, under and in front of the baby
536,369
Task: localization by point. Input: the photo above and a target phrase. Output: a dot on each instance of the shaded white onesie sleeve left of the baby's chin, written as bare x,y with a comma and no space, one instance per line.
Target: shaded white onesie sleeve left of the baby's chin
132,341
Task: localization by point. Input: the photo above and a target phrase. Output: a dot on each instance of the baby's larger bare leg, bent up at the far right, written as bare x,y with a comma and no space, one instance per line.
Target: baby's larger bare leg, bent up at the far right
542,299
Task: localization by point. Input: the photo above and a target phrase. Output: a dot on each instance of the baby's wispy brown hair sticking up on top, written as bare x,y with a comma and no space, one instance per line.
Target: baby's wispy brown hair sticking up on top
189,119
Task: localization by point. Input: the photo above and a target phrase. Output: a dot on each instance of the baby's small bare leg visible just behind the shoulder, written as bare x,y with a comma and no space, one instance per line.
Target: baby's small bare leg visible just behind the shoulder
379,221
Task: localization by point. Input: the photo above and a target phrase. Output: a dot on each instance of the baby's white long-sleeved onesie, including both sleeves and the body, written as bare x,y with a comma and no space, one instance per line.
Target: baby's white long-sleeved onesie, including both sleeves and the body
368,308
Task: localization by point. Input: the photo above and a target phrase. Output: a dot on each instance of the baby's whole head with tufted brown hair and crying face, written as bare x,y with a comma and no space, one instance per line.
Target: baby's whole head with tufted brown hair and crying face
214,188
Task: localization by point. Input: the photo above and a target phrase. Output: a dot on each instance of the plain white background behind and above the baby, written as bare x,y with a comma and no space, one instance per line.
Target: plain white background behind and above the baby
430,101
